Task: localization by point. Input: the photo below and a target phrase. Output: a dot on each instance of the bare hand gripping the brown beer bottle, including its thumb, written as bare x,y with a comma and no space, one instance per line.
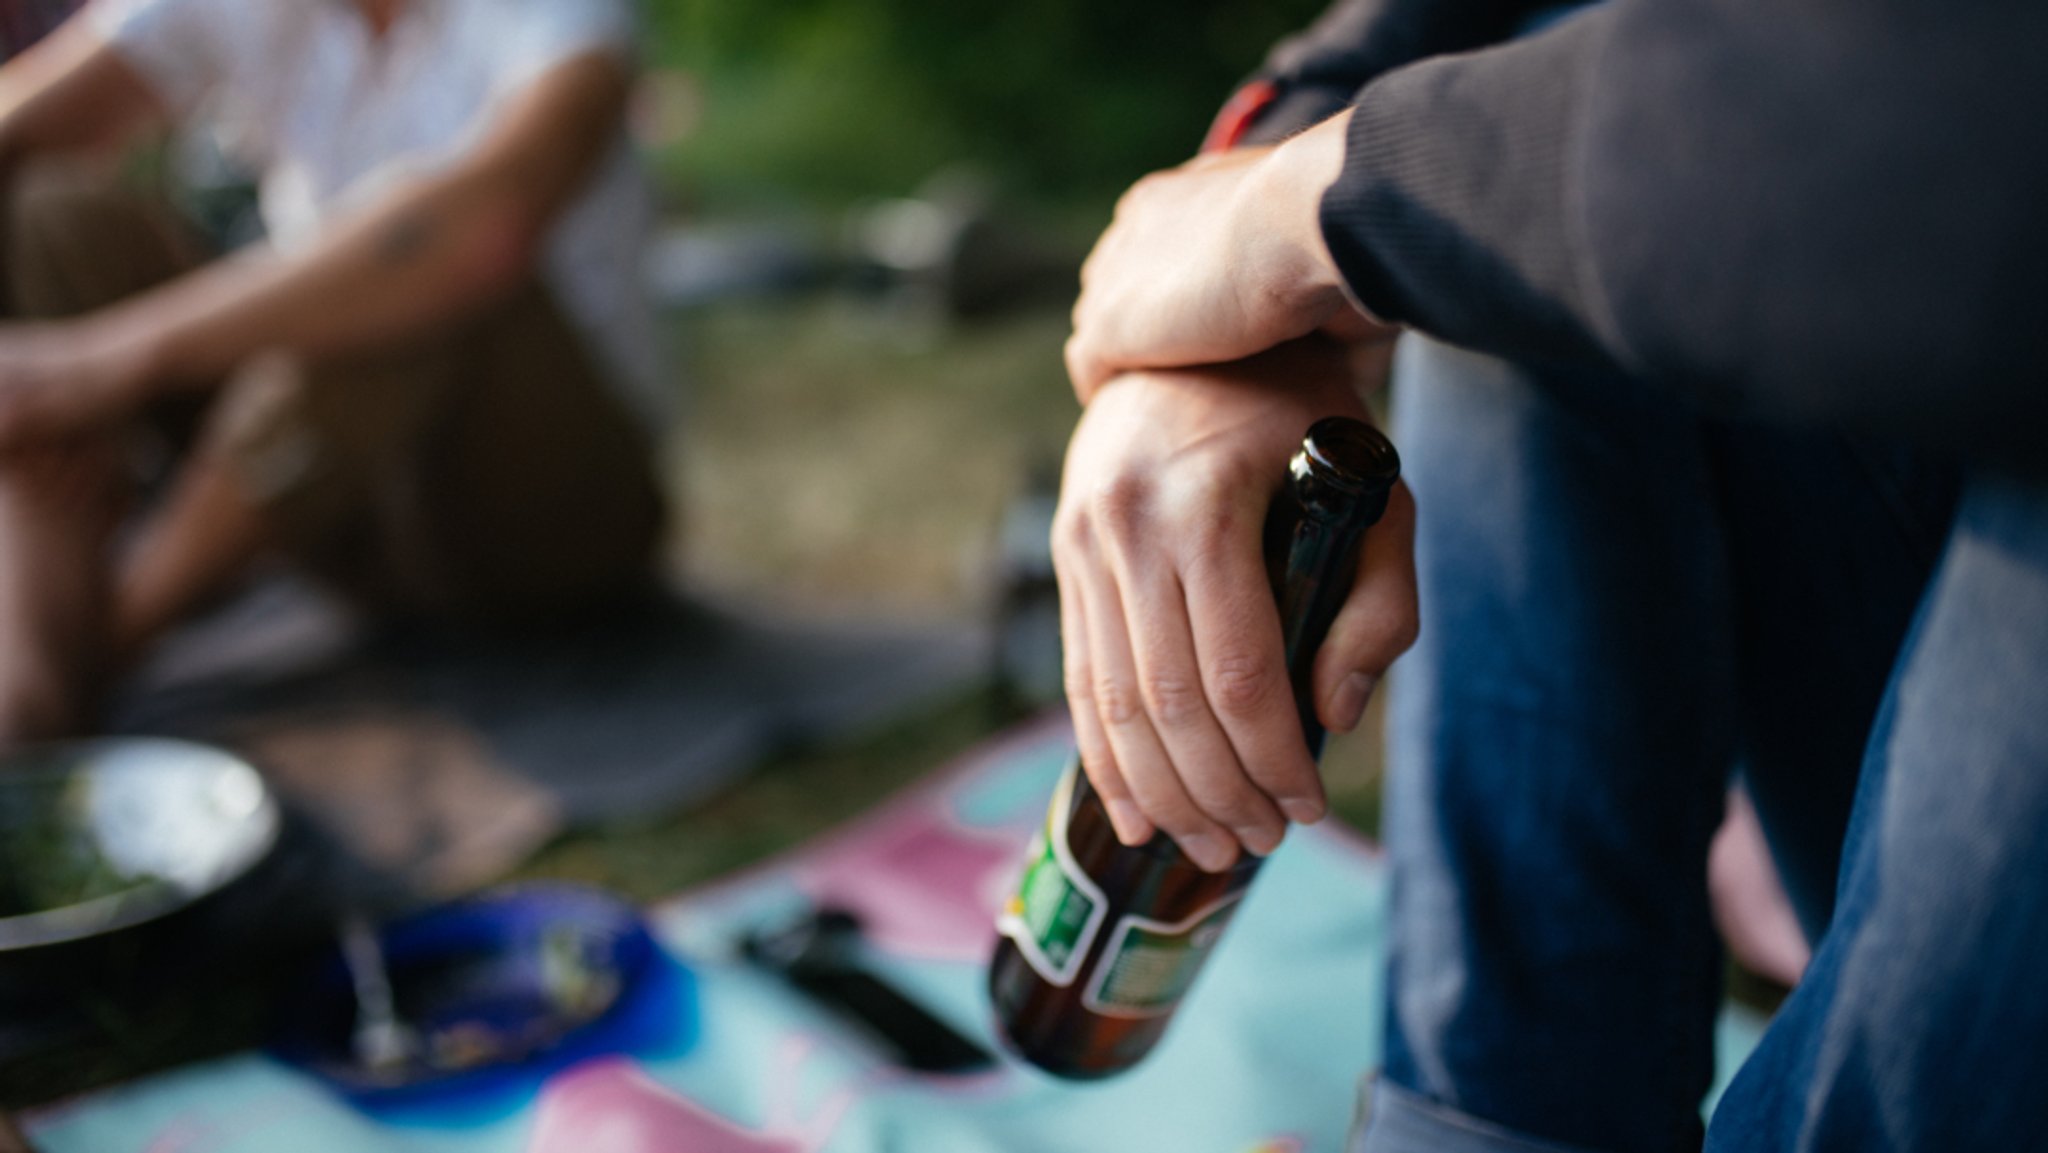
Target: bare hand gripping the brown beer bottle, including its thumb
1177,675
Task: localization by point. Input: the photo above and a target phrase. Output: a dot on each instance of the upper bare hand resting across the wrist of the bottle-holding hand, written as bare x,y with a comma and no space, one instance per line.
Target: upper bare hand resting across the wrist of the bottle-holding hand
1215,261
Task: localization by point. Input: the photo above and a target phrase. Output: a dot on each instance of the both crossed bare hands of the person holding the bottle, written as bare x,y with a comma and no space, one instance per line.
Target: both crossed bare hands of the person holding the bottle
1203,351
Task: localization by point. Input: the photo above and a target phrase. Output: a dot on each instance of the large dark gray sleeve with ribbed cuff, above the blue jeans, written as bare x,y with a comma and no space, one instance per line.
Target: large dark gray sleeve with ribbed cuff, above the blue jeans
1811,212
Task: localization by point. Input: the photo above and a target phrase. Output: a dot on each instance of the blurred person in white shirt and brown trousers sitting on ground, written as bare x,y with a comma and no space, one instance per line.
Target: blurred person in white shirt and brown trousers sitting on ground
431,388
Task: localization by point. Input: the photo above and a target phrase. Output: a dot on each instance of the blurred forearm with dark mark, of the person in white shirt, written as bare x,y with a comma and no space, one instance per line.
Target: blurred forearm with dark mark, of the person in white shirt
423,259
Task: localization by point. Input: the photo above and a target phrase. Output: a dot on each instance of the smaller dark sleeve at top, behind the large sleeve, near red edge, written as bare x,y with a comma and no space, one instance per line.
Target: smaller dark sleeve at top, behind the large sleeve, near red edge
1355,42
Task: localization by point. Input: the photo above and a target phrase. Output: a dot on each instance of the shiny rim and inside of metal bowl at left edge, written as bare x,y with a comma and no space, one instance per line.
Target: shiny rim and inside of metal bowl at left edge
103,837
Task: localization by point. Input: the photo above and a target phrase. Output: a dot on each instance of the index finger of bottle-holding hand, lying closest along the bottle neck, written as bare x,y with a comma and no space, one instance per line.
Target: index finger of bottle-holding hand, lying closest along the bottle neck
1244,667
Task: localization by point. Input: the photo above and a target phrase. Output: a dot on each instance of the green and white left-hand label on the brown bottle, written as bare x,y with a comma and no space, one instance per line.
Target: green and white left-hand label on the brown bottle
1058,910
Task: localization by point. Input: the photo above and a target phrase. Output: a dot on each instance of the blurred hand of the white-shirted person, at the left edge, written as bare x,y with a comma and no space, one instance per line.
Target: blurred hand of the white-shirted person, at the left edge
67,378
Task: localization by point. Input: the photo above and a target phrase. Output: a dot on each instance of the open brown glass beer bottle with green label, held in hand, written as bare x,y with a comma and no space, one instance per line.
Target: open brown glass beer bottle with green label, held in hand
1101,941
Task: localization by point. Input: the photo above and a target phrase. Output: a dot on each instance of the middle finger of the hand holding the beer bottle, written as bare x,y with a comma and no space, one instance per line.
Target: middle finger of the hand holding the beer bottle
1170,685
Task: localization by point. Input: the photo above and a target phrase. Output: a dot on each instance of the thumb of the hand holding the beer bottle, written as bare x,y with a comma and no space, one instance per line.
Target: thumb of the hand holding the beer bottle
1377,624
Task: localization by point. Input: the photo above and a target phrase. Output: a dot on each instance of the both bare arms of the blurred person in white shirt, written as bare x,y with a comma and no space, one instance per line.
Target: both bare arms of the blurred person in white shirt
429,251
